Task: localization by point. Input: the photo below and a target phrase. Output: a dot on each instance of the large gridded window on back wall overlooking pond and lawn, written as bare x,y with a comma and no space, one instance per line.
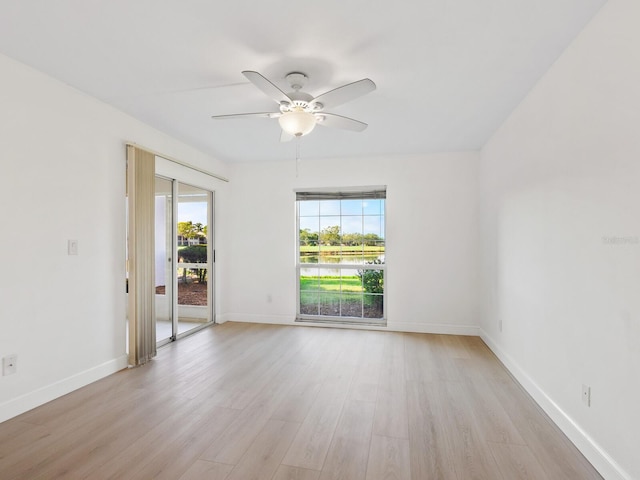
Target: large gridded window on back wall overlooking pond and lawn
341,255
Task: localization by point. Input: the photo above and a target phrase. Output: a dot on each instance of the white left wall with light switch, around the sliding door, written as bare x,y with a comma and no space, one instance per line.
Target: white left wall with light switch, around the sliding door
62,159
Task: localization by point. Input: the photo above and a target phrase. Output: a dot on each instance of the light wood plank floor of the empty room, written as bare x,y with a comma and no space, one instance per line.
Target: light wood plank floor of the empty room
245,401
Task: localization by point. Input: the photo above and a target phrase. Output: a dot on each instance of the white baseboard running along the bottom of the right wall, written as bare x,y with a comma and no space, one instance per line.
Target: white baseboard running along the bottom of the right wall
599,458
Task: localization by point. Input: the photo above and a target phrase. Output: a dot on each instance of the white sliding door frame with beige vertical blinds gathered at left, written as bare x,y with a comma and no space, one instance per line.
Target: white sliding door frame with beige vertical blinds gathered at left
140,261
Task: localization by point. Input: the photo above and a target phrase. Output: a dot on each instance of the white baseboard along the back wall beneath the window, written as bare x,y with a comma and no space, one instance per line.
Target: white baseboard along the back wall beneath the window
410,327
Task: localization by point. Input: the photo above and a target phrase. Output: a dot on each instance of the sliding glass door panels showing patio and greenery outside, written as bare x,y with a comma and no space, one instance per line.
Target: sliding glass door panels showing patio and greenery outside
183,259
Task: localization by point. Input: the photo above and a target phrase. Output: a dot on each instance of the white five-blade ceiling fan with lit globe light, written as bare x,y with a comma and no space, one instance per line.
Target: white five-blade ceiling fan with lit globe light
299,112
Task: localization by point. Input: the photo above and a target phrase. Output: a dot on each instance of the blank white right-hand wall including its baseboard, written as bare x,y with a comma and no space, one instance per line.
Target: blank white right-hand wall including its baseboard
560,233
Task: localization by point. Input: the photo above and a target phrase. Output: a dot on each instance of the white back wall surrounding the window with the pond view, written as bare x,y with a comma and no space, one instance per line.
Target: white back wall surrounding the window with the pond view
432,248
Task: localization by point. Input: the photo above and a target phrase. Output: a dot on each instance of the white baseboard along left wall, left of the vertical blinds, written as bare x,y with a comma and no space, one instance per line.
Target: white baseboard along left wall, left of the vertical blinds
28,401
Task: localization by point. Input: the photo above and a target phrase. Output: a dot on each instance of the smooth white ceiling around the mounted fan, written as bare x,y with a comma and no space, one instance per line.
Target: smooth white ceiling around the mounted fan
448,72
